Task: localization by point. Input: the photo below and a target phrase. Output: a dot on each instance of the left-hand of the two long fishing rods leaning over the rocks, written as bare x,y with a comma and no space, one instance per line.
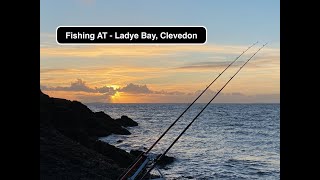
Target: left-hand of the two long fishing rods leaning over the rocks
139,158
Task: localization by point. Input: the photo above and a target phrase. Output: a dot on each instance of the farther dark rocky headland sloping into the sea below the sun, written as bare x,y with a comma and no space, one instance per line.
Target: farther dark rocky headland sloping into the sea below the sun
76,120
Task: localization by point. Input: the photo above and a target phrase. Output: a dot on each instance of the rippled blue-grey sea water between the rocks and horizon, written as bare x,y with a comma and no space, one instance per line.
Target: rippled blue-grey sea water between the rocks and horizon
227,141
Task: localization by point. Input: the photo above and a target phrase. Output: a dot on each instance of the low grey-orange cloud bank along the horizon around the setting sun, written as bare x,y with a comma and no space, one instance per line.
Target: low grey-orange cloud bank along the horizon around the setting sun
78,90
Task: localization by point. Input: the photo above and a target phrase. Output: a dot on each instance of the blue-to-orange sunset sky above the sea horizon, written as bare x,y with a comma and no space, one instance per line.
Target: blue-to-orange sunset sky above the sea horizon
162,74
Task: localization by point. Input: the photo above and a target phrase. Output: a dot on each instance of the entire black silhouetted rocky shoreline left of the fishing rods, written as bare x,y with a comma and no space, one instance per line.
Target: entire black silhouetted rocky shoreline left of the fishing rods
69,145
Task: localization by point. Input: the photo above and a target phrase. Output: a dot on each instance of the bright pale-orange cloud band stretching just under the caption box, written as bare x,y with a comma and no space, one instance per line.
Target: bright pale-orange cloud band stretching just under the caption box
48,49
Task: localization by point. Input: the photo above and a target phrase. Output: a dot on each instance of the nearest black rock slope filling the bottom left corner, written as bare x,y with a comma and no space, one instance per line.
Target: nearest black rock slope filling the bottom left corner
64,158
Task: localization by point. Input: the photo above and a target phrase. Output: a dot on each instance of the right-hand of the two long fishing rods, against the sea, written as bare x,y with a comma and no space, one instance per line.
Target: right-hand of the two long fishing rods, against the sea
185,129
